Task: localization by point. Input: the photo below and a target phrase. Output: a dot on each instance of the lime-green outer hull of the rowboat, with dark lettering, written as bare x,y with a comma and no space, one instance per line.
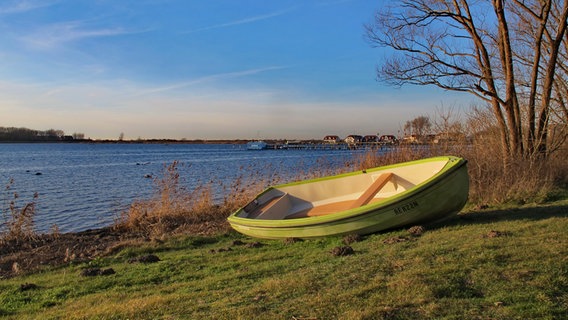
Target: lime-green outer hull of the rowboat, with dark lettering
443,195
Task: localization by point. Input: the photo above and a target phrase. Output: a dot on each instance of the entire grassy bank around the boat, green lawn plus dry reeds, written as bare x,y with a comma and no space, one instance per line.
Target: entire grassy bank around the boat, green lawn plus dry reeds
504,257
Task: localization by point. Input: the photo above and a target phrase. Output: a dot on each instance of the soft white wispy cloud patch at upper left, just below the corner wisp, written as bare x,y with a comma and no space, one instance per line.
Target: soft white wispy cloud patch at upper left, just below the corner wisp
51,36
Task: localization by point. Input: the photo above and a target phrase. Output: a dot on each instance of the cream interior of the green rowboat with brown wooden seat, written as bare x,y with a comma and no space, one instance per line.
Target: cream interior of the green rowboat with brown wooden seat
339,194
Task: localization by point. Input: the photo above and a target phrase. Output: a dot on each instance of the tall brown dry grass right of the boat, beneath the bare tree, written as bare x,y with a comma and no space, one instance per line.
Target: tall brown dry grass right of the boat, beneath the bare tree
524,180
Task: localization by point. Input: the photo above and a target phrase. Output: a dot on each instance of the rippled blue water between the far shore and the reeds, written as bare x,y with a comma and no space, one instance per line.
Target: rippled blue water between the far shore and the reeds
85,186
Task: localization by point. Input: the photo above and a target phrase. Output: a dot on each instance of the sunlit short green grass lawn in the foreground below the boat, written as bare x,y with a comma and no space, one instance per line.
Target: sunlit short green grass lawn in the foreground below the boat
455,270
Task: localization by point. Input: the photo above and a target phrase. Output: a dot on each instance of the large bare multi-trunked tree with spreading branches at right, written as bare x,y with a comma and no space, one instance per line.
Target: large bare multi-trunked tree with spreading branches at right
505,52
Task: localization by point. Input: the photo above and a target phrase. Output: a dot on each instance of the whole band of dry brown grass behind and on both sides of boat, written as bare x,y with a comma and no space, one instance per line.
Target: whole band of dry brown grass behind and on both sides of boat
173,209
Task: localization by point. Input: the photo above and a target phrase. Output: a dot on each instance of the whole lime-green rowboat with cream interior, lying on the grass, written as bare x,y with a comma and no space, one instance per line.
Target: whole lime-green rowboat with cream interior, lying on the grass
359,202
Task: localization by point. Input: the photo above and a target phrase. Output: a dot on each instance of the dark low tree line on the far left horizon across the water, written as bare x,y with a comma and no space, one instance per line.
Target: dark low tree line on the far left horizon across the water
30,135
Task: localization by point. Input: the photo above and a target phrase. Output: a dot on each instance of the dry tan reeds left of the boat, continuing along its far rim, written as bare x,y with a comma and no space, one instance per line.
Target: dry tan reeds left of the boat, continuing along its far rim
173,209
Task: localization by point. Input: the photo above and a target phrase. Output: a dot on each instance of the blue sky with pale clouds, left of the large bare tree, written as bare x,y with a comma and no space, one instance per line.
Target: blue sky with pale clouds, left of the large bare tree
219,69
